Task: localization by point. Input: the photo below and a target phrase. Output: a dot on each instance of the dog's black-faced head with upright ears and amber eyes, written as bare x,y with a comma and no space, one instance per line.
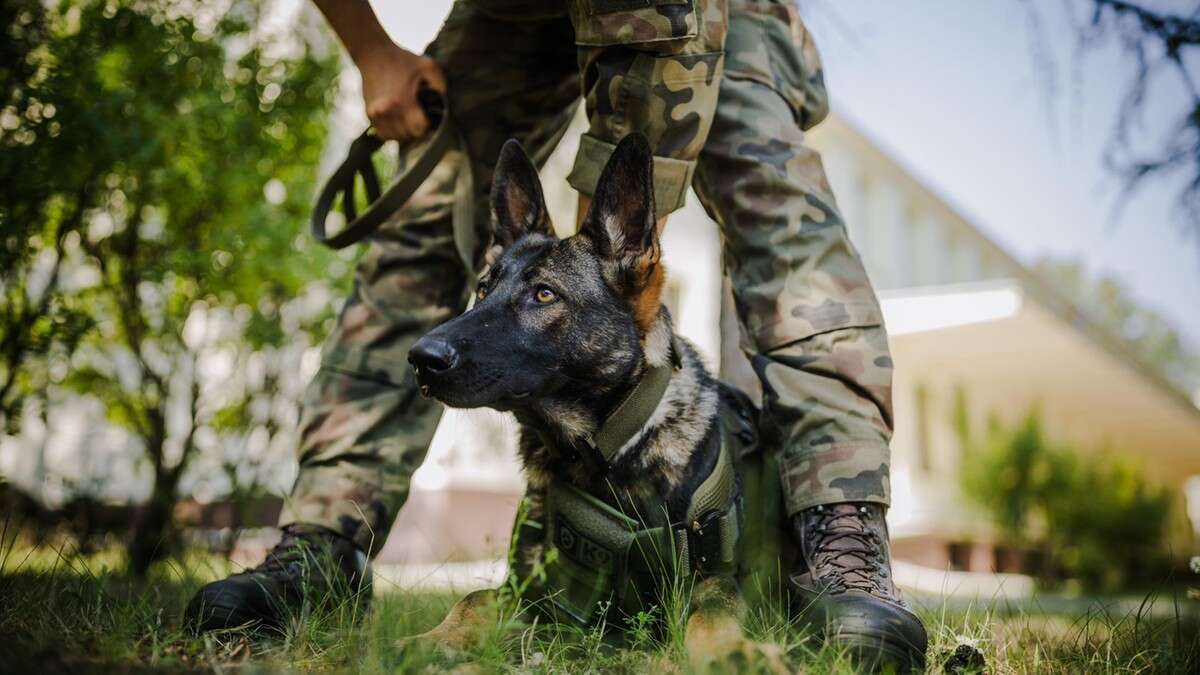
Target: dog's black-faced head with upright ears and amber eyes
554,318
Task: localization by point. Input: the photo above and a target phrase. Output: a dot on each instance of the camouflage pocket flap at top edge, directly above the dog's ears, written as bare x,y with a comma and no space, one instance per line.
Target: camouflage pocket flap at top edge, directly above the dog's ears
657,25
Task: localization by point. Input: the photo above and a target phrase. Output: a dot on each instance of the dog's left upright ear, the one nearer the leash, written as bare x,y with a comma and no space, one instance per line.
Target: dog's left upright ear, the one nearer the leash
518,205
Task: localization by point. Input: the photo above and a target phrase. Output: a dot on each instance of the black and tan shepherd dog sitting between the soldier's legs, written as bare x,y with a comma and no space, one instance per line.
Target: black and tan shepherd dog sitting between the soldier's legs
623,429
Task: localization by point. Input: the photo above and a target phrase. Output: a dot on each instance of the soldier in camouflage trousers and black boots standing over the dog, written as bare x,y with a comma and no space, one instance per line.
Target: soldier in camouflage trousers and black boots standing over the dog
724,91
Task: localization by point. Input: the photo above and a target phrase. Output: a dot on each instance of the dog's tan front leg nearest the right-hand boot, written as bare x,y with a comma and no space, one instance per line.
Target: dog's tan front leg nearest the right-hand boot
716,641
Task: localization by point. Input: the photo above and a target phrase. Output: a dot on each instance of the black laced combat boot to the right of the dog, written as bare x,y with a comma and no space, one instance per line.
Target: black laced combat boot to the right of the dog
844,586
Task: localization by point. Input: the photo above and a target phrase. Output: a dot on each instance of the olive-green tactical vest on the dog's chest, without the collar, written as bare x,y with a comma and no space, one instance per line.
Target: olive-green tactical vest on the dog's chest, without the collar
619,545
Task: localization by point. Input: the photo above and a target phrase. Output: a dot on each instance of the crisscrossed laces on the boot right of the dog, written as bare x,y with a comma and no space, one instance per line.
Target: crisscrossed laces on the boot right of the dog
847,553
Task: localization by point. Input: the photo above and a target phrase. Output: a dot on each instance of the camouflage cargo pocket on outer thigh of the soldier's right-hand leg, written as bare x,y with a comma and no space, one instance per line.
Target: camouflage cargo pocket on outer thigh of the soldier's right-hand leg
769,44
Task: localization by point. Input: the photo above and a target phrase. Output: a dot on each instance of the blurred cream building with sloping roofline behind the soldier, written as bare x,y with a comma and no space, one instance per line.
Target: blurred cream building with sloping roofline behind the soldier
963,316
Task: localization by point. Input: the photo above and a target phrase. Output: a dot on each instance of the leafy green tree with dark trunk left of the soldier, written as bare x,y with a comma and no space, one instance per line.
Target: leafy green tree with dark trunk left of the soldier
158,157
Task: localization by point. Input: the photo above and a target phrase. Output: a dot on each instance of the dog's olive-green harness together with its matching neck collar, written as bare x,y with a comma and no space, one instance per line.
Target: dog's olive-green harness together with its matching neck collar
621,560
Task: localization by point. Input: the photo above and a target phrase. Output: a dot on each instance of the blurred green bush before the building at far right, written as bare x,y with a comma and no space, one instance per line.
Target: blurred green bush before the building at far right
1096,517
